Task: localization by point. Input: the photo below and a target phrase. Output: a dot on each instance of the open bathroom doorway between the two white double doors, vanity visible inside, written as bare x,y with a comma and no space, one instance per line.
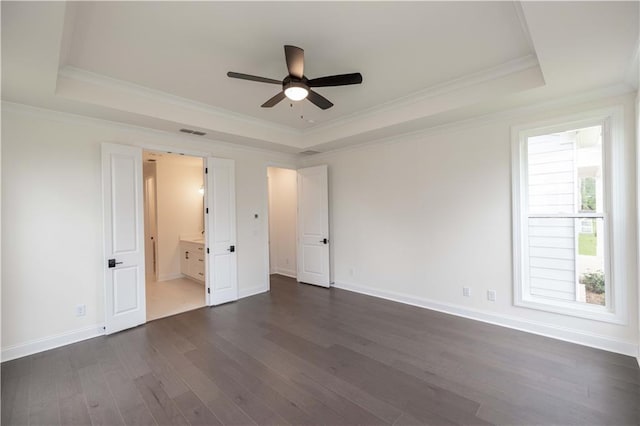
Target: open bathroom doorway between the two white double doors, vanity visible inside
174,230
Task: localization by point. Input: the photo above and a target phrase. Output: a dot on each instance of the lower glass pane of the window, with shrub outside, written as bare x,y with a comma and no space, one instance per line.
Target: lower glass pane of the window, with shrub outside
566,259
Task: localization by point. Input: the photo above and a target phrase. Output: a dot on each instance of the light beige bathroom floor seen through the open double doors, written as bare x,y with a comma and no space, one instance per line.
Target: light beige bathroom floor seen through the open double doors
165,298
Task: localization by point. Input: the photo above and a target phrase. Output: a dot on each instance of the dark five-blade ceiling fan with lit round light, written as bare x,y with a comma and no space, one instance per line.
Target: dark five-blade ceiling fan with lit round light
296,86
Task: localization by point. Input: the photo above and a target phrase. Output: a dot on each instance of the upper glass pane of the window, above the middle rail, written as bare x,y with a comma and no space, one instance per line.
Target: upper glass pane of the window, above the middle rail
565,172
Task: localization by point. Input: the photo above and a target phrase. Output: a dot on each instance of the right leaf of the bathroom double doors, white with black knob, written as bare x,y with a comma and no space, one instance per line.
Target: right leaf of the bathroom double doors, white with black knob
221,231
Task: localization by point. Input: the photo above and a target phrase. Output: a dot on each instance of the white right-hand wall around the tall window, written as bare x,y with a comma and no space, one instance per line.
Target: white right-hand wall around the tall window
418,218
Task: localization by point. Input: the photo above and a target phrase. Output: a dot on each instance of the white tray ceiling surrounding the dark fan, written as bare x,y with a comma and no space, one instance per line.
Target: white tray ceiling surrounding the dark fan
163,64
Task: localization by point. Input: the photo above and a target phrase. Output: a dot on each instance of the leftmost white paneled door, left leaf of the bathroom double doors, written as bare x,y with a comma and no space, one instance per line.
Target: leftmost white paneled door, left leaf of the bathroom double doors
124,237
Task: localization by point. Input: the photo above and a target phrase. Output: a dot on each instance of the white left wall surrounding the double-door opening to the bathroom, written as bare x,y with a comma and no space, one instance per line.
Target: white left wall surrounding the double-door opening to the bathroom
52,242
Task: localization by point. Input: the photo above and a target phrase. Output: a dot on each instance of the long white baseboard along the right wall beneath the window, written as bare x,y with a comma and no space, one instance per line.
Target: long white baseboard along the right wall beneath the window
534,327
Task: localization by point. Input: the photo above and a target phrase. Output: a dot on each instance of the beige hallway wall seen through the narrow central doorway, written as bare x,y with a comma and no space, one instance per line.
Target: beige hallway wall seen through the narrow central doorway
283,205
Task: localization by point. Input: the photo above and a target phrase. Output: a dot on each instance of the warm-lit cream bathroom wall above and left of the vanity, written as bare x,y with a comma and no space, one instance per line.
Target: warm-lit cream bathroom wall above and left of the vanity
179,209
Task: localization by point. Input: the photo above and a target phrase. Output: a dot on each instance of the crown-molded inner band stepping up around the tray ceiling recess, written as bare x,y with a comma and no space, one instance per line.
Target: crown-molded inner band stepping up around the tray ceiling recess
86,86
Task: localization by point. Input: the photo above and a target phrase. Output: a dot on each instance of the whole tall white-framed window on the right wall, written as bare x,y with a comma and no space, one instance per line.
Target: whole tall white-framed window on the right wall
564,229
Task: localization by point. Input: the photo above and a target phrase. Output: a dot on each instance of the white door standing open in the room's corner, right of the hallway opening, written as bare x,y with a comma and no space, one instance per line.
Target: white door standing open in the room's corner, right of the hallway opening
313,226
